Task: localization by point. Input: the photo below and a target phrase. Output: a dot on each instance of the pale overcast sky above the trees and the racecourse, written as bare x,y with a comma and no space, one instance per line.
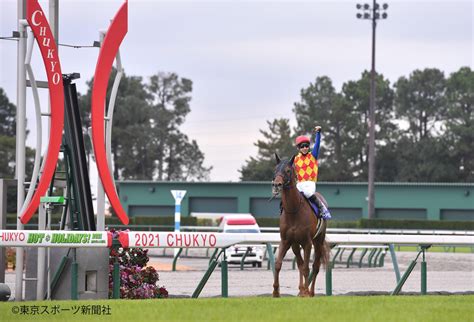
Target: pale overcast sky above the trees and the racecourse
248,60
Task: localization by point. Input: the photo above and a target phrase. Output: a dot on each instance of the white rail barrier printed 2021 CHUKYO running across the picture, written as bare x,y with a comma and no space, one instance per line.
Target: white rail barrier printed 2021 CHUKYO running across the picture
55,238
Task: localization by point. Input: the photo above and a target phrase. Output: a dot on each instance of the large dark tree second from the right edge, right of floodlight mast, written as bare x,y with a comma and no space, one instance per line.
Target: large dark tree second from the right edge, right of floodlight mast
422,101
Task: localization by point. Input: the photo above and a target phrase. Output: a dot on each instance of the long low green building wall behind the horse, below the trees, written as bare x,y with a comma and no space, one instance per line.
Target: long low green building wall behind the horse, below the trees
347,200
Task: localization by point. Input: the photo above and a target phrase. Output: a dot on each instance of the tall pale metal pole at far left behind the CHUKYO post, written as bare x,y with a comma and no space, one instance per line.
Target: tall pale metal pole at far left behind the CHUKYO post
20,139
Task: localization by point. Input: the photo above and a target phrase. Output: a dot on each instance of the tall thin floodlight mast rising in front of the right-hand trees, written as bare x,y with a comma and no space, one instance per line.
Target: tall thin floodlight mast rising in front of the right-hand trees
371,174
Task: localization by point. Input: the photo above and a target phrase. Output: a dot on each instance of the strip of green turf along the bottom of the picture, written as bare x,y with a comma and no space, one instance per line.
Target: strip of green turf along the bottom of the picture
325,309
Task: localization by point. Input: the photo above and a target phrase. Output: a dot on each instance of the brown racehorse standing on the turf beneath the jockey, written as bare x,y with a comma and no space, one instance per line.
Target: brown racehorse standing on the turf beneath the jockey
299,227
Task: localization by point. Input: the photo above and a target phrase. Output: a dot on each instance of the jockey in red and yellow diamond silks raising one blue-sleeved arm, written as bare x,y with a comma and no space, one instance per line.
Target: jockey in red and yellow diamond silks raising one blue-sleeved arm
306,167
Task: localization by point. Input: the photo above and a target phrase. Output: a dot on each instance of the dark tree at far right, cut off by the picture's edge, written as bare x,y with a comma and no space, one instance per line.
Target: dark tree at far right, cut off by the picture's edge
459,136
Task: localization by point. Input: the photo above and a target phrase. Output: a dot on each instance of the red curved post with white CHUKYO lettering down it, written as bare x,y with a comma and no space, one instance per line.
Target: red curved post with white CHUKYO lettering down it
44,37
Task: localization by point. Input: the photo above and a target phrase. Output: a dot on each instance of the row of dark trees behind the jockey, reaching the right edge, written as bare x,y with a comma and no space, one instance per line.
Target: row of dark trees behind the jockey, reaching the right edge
437,146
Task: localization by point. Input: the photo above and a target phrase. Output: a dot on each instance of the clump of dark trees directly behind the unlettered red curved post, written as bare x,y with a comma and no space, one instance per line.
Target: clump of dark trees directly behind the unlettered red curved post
146,131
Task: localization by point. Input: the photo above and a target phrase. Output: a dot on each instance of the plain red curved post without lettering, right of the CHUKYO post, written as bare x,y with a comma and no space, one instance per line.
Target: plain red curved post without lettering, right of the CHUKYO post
108,51
